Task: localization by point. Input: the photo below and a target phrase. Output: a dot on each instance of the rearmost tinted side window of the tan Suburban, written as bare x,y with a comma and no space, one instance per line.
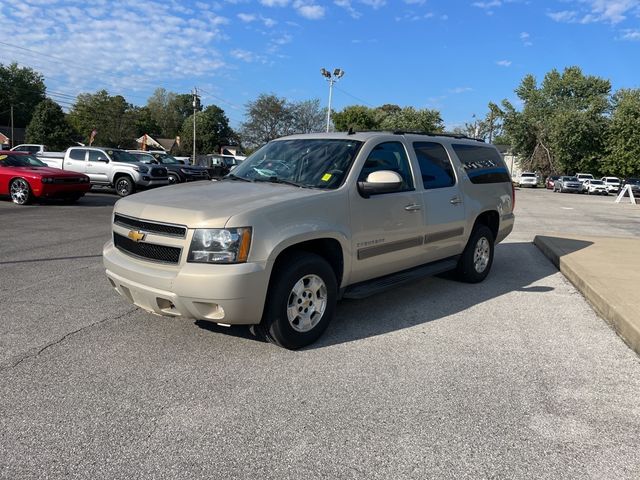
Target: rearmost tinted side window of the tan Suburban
482,164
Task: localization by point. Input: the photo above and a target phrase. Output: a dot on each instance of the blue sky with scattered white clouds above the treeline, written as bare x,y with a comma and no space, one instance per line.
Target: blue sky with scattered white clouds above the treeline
454,56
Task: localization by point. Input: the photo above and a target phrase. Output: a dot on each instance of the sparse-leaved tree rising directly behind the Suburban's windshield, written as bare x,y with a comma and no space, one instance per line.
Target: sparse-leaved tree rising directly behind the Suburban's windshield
268,117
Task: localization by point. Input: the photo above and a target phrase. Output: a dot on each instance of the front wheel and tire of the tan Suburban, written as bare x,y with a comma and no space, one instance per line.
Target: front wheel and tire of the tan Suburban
301,300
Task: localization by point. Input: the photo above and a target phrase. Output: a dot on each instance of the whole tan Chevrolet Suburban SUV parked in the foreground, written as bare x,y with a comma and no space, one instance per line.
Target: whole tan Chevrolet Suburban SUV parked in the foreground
309,219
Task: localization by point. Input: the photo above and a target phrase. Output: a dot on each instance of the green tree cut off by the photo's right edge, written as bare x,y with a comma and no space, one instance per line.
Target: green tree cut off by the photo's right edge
623,138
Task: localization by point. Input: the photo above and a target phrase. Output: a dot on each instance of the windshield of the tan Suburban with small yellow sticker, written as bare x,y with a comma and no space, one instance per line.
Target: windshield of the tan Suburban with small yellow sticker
314,163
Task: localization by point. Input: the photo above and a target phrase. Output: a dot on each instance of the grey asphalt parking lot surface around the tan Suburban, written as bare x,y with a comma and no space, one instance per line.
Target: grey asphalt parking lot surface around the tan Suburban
515,377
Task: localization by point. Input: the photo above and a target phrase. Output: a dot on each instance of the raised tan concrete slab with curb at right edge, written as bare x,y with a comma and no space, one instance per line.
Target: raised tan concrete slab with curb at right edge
606,271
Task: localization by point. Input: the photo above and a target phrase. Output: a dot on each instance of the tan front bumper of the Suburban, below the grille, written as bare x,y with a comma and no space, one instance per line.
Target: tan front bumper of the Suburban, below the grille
230,294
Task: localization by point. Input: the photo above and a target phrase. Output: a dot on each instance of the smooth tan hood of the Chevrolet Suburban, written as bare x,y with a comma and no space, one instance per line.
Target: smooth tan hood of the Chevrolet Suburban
207,204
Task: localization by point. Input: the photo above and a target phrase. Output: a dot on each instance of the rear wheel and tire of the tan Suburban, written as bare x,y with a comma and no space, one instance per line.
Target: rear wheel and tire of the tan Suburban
476,260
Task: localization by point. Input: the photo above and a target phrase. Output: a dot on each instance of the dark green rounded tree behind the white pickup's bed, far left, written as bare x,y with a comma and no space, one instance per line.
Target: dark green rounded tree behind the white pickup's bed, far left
49,126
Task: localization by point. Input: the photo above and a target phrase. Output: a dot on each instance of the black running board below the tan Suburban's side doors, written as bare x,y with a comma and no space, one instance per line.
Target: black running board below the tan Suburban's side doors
378,285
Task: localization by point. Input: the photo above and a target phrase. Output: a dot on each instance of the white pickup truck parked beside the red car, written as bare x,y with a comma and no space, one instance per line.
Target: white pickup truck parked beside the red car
108,167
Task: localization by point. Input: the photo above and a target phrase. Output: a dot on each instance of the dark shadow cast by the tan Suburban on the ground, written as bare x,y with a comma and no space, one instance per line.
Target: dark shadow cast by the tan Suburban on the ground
517,267
